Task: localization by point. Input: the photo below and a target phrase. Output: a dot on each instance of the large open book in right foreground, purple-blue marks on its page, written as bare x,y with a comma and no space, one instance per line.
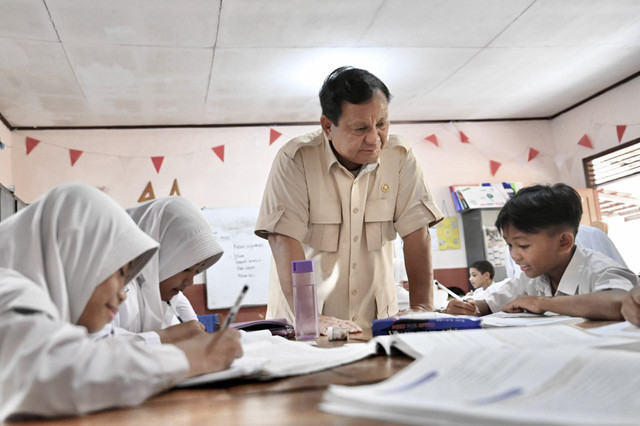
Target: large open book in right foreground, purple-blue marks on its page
564,386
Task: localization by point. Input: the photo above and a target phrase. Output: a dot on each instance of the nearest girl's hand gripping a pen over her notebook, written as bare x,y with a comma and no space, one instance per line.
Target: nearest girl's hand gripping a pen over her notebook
211,352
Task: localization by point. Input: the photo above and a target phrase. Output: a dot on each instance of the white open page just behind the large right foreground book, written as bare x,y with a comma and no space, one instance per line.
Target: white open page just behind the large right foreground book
419,344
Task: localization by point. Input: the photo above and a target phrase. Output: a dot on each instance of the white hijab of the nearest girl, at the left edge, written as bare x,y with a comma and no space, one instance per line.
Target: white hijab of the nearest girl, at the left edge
55,252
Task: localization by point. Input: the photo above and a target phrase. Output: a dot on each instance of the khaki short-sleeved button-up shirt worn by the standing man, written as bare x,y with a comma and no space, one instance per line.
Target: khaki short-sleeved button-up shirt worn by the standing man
345,223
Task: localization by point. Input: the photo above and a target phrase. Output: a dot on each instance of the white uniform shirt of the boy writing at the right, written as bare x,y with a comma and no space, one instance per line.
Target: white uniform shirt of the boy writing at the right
588,271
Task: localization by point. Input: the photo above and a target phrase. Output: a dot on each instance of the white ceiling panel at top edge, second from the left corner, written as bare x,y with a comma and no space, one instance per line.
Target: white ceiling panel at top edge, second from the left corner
188,23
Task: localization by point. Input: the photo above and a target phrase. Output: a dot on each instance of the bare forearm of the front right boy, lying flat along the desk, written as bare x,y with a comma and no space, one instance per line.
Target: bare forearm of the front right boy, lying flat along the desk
601,305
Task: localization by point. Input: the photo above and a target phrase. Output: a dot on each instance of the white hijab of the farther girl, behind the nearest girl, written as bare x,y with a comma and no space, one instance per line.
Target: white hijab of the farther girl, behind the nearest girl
185,239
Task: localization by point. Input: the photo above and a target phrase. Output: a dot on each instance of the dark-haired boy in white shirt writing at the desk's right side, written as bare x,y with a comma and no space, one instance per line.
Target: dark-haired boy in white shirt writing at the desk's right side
540,224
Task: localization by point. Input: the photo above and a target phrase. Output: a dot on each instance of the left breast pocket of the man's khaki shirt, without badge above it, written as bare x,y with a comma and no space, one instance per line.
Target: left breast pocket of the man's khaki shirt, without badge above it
324,232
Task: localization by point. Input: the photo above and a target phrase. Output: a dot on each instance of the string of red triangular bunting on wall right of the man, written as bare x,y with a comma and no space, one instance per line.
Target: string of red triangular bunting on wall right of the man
531,153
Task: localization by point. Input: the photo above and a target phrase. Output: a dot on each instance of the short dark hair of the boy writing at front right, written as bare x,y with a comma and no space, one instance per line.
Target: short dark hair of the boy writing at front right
541,207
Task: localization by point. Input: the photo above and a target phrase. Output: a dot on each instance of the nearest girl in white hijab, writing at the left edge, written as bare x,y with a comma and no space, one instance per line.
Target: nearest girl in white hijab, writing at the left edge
64,260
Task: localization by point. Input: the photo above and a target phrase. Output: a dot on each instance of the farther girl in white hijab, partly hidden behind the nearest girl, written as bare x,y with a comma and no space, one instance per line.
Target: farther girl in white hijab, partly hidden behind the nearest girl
187,247
